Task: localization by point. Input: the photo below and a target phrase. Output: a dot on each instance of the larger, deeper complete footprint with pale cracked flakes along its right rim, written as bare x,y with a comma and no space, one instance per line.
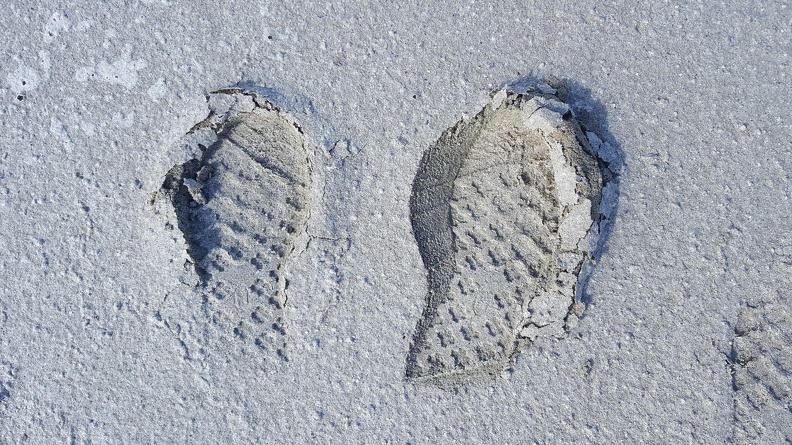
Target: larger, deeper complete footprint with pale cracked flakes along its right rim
505,211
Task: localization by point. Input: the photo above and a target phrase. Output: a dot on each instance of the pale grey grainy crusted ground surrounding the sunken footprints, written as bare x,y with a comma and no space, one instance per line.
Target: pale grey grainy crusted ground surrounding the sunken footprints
99,334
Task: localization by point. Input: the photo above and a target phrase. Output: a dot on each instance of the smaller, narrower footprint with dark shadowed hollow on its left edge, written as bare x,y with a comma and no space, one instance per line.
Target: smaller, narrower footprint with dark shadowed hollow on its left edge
241,204
